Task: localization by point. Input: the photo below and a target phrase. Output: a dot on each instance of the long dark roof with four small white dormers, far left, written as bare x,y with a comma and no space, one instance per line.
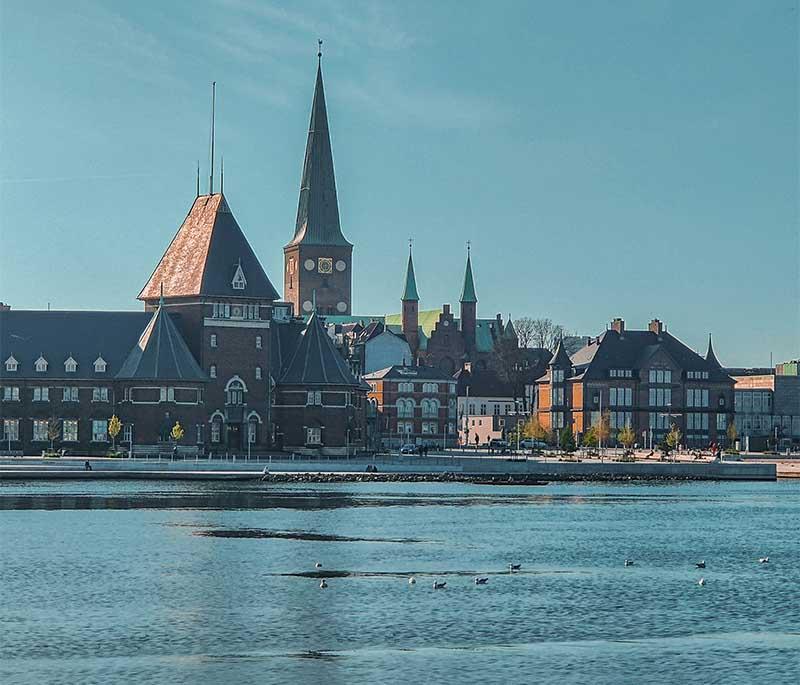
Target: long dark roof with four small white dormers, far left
57,335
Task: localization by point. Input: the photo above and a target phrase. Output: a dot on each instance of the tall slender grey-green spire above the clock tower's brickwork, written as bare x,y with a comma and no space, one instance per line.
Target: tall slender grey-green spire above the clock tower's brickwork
318,209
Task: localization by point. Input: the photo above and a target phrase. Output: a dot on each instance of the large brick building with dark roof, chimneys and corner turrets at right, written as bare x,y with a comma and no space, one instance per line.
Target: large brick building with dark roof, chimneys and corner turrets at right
648,380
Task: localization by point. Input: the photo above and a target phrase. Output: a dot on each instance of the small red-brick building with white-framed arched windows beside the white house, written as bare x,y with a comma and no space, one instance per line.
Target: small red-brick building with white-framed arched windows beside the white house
413,404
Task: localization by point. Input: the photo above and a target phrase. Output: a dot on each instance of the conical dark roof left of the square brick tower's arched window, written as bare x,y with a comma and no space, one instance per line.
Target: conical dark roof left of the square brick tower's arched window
161,353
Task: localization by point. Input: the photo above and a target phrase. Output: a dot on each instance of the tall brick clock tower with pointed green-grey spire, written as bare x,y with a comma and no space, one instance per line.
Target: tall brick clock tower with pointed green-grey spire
318,260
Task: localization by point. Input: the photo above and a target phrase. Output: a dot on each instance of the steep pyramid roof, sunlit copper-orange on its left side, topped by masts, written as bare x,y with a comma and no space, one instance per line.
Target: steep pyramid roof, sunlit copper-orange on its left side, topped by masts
204,256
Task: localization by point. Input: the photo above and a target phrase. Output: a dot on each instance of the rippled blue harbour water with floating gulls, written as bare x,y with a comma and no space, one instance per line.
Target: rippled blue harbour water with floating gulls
120,582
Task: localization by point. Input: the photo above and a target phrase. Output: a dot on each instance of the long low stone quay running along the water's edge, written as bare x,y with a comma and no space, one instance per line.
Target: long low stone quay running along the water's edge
476,468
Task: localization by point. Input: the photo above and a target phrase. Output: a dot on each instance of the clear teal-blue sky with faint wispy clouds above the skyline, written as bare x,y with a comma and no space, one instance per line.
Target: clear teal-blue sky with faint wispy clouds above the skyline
620,158
